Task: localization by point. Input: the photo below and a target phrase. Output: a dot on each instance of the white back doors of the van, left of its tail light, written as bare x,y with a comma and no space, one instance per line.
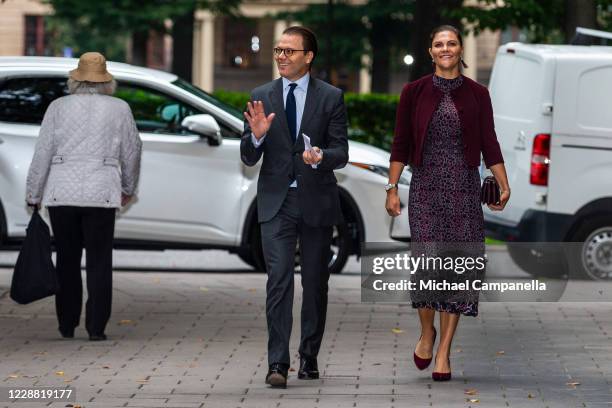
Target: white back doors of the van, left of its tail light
521,88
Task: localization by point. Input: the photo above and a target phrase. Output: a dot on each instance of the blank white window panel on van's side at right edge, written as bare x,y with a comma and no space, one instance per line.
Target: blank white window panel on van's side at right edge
595,99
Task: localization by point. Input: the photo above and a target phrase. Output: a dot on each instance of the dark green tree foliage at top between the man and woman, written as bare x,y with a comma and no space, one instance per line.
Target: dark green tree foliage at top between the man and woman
378,28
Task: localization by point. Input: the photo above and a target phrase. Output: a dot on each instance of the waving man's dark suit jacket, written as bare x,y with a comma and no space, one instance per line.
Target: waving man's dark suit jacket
324,121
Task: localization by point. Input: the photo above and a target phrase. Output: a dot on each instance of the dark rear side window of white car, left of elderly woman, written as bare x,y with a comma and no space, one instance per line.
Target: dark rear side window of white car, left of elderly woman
25,100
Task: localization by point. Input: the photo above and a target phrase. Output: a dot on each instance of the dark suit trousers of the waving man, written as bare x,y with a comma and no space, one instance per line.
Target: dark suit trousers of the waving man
279,238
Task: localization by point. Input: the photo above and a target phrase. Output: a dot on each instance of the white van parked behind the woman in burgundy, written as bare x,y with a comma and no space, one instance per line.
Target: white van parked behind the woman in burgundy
553,116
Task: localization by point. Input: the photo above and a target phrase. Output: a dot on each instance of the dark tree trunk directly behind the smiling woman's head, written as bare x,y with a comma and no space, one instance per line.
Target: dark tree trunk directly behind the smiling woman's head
427,16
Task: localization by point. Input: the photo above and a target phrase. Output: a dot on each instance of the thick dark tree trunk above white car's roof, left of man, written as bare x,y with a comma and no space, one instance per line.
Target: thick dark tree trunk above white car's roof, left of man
182,45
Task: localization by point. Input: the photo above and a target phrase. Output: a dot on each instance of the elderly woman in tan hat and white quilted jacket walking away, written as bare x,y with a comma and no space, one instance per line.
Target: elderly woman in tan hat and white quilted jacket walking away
85,166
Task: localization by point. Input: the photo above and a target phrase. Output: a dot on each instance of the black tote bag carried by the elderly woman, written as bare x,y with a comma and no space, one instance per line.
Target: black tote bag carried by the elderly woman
34,275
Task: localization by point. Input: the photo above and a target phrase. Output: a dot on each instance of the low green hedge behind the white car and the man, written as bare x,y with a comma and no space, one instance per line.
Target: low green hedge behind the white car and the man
371,116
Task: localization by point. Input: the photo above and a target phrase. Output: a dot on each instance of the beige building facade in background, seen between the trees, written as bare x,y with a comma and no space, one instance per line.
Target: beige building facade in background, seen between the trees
232,54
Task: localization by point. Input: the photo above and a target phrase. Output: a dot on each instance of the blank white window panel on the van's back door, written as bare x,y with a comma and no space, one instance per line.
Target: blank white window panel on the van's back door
516,87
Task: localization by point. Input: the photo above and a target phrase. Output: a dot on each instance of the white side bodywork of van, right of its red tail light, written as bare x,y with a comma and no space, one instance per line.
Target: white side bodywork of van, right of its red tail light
581,151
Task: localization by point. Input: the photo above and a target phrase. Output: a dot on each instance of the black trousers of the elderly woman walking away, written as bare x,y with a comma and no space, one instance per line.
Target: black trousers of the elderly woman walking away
75,228
